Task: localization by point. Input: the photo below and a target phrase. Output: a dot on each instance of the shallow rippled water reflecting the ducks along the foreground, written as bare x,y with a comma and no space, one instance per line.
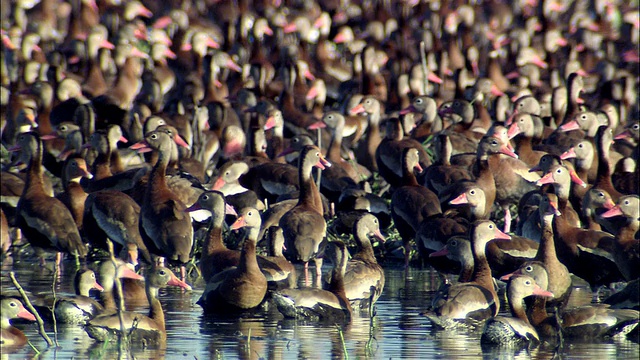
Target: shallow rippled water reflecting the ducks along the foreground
396,331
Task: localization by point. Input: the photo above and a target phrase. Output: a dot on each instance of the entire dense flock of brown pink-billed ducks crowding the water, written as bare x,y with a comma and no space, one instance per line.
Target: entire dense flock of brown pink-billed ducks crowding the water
158,126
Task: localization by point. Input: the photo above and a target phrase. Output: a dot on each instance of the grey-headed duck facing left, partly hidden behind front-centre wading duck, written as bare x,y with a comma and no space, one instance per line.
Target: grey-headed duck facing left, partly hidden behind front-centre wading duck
215,256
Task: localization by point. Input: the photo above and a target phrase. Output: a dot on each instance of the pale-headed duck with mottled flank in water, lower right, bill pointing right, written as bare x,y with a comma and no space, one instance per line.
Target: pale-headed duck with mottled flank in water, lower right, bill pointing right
516,330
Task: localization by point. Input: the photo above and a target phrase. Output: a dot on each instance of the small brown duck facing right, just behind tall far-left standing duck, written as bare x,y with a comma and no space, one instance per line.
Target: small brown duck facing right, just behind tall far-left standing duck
74,195
